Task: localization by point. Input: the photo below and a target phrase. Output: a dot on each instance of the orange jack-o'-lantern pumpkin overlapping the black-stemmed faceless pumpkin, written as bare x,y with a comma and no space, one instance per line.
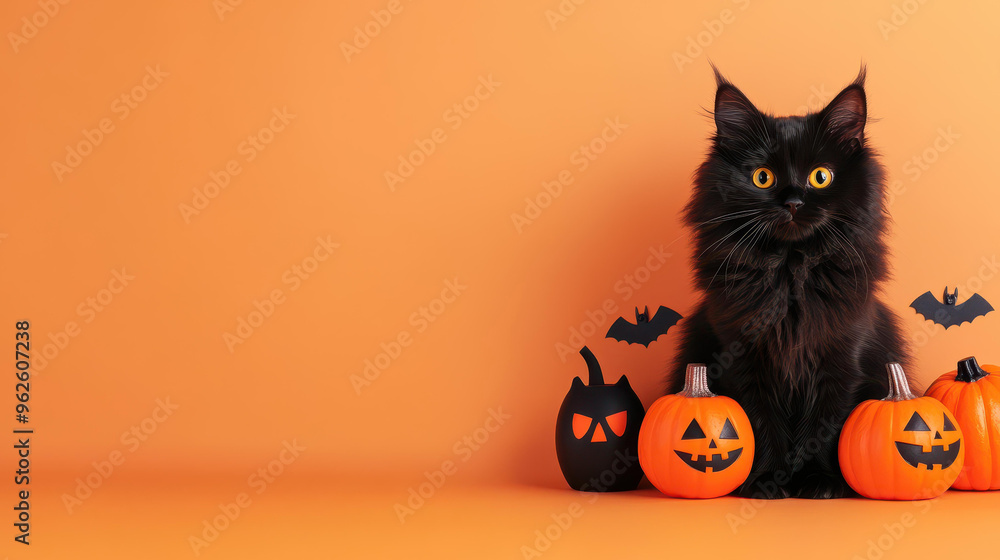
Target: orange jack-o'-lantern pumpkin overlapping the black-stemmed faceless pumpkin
902,447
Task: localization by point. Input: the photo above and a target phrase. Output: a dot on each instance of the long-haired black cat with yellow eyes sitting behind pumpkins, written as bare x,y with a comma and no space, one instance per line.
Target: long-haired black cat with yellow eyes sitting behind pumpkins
789,219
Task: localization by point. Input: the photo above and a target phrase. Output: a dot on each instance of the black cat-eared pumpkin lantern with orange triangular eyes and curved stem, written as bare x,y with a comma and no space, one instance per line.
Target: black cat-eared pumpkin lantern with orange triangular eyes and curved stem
597,433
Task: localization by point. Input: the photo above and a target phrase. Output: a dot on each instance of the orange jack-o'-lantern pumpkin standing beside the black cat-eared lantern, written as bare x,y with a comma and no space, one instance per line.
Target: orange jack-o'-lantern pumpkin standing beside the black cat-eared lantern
695,444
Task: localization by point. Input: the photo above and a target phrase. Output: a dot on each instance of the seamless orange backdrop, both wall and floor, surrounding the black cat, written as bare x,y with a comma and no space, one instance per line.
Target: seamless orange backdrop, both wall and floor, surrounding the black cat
496,345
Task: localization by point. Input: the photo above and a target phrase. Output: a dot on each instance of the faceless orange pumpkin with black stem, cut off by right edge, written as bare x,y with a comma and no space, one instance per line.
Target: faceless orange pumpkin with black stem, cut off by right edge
973,396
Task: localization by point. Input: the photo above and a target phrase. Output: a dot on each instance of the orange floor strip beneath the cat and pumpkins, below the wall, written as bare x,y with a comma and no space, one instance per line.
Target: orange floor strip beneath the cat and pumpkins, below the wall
308,516
